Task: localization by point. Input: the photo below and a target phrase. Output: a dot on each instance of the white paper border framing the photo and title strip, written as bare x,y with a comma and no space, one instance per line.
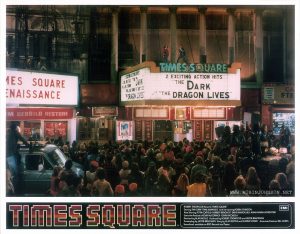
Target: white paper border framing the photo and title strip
5,199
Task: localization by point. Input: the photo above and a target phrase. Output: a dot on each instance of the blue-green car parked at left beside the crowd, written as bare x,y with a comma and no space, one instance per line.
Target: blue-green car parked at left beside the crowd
36,167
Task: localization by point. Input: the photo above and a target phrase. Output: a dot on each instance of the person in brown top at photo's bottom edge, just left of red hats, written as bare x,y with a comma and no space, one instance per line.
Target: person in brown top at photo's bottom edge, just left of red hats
101,187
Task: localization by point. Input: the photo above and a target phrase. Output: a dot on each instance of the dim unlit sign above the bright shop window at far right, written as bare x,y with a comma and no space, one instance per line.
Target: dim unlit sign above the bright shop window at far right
279,94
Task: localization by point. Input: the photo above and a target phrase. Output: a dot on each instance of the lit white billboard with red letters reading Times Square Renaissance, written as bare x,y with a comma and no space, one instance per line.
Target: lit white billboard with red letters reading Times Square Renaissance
41,88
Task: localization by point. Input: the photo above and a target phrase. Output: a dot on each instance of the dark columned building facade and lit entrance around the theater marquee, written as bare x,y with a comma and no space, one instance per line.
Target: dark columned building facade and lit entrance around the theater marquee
100,44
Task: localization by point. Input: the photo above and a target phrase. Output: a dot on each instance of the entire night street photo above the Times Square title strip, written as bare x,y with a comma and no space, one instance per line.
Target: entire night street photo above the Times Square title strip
150,101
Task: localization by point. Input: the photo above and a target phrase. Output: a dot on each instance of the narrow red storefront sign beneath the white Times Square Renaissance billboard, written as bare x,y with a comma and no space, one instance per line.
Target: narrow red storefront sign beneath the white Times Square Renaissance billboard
38,113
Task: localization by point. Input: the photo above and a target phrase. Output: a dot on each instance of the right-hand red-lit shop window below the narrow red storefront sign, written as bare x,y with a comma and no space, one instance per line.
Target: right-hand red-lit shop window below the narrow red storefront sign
53,130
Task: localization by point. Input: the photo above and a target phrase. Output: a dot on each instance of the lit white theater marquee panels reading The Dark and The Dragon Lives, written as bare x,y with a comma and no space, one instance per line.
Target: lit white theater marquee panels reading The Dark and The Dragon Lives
144,85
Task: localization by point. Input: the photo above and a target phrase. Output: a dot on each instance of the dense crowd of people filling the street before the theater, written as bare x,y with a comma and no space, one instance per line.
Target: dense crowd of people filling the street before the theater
241,162
